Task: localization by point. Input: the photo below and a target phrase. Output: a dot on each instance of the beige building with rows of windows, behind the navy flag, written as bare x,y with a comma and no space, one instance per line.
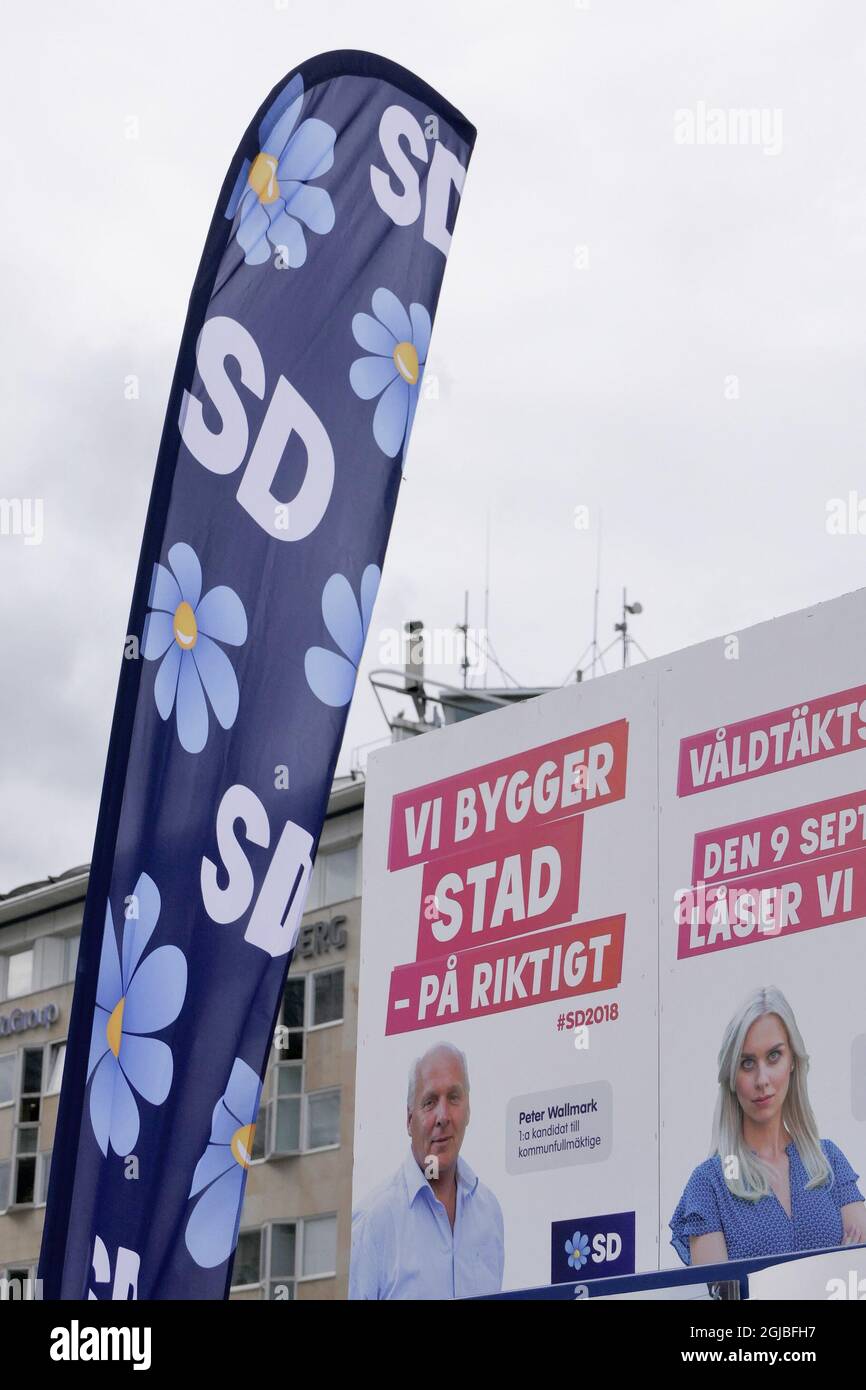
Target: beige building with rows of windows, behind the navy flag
297,1220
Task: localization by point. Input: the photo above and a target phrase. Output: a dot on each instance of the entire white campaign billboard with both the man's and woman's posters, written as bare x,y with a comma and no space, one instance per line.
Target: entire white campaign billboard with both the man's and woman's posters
580,913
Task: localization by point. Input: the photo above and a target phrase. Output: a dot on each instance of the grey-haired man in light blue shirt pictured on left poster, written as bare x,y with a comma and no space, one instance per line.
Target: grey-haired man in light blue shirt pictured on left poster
433,1231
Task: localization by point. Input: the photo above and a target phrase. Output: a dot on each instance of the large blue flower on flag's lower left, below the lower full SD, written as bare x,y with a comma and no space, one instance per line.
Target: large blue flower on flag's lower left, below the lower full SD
134,999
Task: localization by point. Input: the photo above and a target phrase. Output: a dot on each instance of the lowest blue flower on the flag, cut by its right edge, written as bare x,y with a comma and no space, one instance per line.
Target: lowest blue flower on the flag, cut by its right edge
212,1231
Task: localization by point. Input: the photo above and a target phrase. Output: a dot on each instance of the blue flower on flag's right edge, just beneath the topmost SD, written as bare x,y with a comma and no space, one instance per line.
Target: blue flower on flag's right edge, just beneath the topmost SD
400,343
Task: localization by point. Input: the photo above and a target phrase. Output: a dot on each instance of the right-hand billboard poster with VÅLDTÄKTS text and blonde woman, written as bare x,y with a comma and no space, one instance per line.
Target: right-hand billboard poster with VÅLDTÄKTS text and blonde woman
762,757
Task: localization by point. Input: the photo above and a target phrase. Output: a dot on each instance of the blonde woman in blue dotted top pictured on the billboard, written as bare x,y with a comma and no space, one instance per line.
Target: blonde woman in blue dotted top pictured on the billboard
772,1186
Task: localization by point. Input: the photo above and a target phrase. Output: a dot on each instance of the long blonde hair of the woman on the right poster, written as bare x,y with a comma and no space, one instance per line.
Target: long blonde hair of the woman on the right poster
749,1177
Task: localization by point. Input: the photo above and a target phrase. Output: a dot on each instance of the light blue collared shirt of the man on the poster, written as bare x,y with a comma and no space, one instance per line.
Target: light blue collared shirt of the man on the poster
404,1246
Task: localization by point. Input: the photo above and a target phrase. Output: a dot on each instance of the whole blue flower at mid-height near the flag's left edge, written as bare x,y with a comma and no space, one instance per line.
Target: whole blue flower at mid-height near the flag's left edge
184,633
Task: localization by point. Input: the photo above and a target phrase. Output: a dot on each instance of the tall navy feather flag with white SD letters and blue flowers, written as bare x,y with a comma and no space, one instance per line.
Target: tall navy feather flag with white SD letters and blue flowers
300,373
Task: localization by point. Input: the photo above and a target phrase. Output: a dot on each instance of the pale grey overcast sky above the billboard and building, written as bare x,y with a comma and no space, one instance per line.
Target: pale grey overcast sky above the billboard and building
696,373
